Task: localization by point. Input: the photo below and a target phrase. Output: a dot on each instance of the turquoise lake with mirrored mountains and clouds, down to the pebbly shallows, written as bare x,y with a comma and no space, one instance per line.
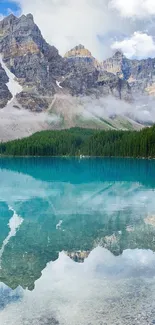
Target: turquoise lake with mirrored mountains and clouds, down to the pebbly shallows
77,241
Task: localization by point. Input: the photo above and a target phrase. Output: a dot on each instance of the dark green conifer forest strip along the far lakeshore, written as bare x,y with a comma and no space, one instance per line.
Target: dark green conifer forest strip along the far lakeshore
87,142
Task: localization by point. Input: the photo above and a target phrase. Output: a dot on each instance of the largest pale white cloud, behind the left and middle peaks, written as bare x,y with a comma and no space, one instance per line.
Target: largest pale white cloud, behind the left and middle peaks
66,23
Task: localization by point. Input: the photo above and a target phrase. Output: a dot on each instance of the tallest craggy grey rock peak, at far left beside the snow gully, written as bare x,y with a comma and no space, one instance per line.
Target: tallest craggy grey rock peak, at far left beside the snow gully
33,62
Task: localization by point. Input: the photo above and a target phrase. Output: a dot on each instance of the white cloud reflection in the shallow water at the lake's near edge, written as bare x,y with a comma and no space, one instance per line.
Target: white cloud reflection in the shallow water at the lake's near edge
76,293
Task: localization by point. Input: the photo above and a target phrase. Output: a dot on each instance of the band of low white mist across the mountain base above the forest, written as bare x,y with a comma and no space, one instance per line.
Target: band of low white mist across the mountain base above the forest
64,113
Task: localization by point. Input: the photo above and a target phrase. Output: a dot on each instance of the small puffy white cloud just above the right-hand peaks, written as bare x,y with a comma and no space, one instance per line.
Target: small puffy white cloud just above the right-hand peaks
139,45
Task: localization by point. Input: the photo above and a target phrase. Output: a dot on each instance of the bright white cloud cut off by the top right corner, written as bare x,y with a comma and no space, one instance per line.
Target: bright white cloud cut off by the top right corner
138,8
